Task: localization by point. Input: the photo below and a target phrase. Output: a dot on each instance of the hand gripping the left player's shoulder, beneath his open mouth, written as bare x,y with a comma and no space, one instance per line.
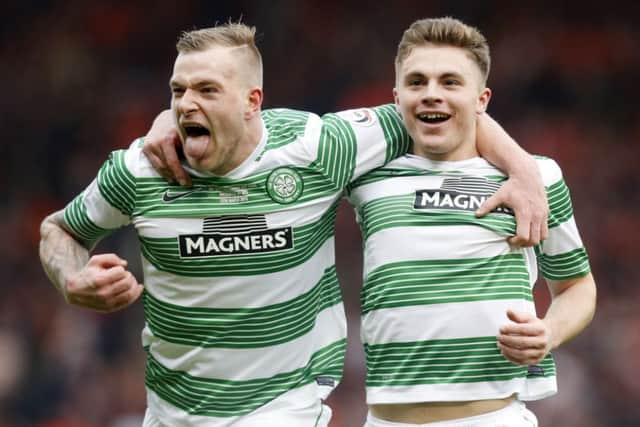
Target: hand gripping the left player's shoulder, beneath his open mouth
160,147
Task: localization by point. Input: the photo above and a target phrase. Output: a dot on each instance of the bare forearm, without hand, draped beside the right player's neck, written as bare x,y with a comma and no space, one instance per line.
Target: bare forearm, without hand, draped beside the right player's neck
498,148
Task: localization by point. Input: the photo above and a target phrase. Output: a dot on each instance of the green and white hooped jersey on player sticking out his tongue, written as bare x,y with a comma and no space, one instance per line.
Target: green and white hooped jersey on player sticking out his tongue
241,299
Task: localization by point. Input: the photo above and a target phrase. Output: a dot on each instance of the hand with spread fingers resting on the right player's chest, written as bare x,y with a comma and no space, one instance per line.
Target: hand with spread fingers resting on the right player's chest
529,202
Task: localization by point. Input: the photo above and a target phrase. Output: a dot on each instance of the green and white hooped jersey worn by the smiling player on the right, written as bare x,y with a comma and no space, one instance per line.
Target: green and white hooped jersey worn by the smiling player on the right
438,281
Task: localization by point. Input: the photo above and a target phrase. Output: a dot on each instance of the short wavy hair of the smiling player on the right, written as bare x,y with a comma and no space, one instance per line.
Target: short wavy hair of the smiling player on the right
446,31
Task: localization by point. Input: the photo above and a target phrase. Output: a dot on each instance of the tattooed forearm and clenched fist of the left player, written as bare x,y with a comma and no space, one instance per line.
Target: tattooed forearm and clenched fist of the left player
100,282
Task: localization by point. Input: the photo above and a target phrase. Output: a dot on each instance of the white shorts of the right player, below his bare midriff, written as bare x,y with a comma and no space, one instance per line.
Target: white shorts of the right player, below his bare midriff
515,414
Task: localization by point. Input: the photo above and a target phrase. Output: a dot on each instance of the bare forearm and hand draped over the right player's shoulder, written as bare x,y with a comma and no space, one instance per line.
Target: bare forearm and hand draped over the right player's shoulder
523,192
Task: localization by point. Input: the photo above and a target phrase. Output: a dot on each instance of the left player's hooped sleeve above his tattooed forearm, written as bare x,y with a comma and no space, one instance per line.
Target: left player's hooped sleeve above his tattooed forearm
107,203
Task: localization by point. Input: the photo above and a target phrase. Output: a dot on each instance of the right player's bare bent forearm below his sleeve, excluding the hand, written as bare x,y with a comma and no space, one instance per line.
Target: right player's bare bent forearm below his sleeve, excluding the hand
571,310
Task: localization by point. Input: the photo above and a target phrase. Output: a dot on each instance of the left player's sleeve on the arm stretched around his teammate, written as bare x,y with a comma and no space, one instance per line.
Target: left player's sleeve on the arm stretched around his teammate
354,142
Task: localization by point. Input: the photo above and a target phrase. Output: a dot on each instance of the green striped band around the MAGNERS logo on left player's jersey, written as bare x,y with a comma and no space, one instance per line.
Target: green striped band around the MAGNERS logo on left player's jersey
164,253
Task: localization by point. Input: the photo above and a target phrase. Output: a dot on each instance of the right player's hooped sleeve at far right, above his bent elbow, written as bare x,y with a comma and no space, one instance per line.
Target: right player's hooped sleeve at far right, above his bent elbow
562,256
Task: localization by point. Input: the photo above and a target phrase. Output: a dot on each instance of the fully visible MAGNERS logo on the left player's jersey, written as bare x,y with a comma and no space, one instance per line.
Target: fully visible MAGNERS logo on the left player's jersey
235,235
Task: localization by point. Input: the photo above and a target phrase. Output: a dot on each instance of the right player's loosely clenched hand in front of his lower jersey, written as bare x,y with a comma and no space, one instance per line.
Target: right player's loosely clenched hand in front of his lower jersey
527,341
